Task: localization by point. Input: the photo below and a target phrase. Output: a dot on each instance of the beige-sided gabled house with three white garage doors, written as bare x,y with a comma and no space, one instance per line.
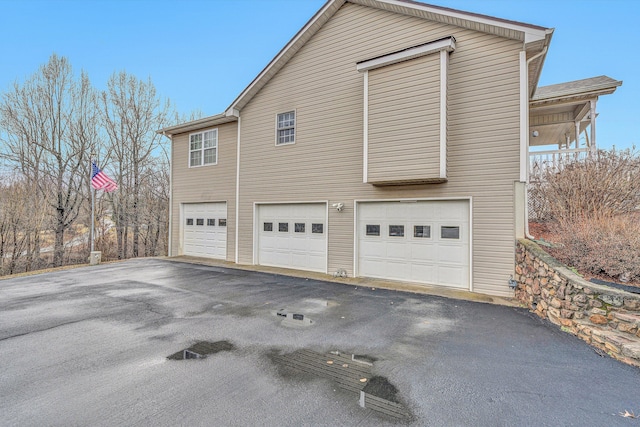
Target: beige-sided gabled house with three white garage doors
388,139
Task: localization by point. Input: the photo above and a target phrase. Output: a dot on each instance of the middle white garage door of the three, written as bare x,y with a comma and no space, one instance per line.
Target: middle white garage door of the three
292,236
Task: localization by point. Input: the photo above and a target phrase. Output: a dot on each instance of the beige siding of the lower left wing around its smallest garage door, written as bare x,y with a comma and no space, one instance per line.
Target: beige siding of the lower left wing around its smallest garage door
210,183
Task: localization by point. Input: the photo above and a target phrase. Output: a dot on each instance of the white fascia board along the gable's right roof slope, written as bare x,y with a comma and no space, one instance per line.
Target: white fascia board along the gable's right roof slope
531,33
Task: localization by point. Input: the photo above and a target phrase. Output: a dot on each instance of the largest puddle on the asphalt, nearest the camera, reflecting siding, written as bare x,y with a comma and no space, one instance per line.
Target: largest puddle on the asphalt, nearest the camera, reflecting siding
352,373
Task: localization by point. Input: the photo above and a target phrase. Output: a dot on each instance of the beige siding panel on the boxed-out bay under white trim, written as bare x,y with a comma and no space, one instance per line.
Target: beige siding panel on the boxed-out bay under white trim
404,121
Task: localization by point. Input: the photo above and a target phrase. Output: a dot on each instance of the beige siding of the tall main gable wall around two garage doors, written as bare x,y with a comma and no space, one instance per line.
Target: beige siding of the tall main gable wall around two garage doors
326,163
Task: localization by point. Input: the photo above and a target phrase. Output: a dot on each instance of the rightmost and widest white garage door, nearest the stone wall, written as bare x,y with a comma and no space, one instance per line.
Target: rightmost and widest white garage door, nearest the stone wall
423,241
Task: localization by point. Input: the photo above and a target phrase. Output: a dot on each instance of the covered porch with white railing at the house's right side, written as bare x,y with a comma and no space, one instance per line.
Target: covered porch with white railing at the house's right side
562,122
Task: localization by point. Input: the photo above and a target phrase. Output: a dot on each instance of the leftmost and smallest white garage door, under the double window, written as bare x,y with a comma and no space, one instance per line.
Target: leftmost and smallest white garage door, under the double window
205,230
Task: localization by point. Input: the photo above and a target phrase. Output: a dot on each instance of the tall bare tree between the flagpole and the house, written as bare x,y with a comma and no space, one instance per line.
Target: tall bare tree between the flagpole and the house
132,114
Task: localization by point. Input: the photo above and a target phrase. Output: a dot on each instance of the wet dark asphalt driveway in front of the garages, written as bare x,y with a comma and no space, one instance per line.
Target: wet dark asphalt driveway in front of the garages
89,347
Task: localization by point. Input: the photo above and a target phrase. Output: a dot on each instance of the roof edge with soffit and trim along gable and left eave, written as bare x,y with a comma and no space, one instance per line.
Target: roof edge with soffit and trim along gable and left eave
535,41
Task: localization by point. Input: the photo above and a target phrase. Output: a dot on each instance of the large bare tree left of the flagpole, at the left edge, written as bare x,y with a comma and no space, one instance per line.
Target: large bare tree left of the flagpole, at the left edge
51,125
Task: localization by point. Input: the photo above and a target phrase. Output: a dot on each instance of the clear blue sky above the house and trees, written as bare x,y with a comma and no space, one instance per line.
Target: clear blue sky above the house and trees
202,54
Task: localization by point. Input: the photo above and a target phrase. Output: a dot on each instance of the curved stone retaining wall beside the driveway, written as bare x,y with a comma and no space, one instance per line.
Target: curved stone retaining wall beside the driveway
607,318
